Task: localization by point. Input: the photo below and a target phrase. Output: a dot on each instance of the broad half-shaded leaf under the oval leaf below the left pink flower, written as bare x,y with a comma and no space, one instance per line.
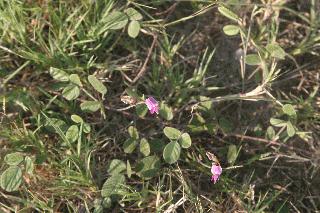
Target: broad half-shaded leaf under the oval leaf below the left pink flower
148,167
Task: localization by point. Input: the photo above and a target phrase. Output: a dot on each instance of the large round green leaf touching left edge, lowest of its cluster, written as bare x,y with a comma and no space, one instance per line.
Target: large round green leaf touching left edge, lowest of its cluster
11,179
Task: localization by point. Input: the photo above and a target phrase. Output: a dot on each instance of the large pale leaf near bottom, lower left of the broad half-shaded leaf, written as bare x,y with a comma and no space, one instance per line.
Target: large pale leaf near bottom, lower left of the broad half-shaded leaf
113,185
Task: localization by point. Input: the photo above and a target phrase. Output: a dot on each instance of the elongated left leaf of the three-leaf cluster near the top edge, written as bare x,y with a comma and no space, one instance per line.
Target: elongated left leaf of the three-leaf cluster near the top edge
114,21
